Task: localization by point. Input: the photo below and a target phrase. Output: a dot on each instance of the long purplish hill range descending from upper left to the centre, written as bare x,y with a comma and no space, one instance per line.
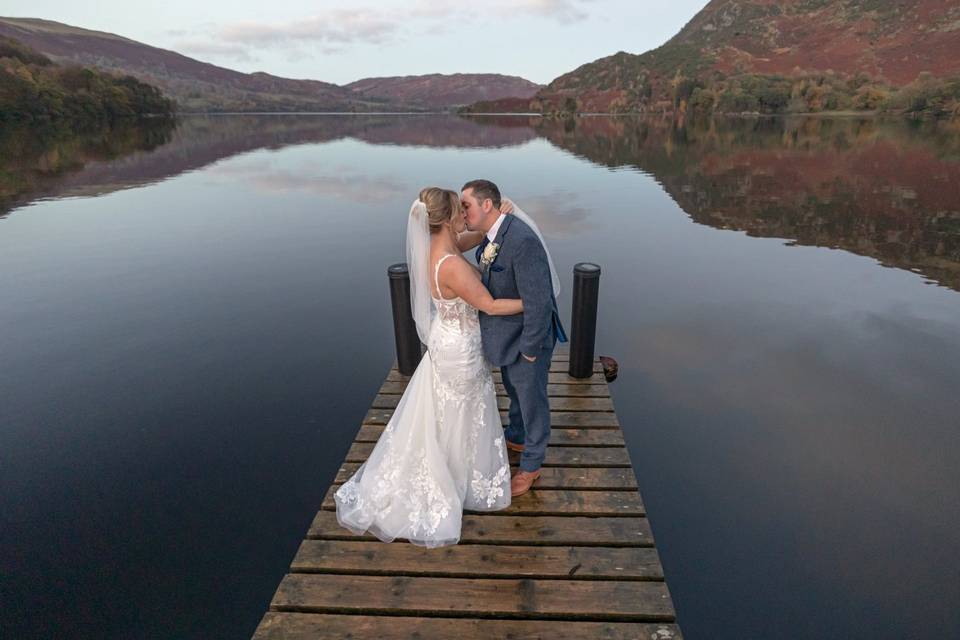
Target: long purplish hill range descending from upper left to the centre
200,86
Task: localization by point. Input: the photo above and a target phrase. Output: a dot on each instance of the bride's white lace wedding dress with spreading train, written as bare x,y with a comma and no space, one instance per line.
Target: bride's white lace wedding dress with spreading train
442,451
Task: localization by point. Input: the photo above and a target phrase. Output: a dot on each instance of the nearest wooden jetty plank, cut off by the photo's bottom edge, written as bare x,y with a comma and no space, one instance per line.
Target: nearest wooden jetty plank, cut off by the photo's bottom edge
281,625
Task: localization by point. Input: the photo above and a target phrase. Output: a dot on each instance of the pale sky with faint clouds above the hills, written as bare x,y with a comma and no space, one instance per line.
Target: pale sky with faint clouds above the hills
341,41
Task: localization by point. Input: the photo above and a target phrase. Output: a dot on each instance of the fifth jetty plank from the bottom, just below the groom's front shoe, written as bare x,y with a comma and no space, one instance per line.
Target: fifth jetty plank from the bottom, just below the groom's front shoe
550,502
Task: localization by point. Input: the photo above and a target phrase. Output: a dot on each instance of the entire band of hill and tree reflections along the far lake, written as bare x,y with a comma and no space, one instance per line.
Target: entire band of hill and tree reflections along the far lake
885,189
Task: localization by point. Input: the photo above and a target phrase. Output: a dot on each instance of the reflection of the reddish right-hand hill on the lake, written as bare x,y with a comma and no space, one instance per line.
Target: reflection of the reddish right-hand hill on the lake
885,189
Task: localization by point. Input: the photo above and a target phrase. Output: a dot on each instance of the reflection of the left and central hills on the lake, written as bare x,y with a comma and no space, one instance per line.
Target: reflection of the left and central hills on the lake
36,165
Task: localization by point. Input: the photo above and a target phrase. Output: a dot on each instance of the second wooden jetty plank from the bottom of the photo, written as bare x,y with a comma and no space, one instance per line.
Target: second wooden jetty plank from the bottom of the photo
488,597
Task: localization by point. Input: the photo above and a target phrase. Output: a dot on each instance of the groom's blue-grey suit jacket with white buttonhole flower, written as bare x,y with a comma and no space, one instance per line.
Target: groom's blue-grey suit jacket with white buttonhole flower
520,270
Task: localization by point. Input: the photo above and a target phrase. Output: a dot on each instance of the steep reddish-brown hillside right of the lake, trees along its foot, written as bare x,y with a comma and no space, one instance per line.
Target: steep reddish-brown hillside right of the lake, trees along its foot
759,55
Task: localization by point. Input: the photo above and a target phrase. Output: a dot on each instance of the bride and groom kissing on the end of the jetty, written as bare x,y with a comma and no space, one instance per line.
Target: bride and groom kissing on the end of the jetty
444,448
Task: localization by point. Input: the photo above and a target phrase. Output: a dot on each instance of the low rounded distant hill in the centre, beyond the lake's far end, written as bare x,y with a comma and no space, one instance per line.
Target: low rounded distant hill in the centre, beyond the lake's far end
436,91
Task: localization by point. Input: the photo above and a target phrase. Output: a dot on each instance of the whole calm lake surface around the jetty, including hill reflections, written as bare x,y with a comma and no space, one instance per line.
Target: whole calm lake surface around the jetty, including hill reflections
194,320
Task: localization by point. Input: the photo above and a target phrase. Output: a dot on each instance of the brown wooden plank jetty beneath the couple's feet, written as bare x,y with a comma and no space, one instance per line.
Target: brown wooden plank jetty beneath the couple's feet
572,558
